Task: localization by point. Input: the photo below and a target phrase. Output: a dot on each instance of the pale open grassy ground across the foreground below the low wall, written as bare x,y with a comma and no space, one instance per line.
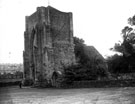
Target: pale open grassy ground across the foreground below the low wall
27,95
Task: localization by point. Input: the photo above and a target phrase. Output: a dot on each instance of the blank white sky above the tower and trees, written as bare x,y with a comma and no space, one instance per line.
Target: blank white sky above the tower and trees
97,22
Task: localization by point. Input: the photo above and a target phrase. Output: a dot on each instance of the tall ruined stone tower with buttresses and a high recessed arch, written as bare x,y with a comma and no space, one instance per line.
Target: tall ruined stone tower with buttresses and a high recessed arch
48,42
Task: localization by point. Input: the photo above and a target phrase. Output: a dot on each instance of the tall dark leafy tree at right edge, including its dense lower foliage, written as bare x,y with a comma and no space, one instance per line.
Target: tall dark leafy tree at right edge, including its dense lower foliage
126,62
